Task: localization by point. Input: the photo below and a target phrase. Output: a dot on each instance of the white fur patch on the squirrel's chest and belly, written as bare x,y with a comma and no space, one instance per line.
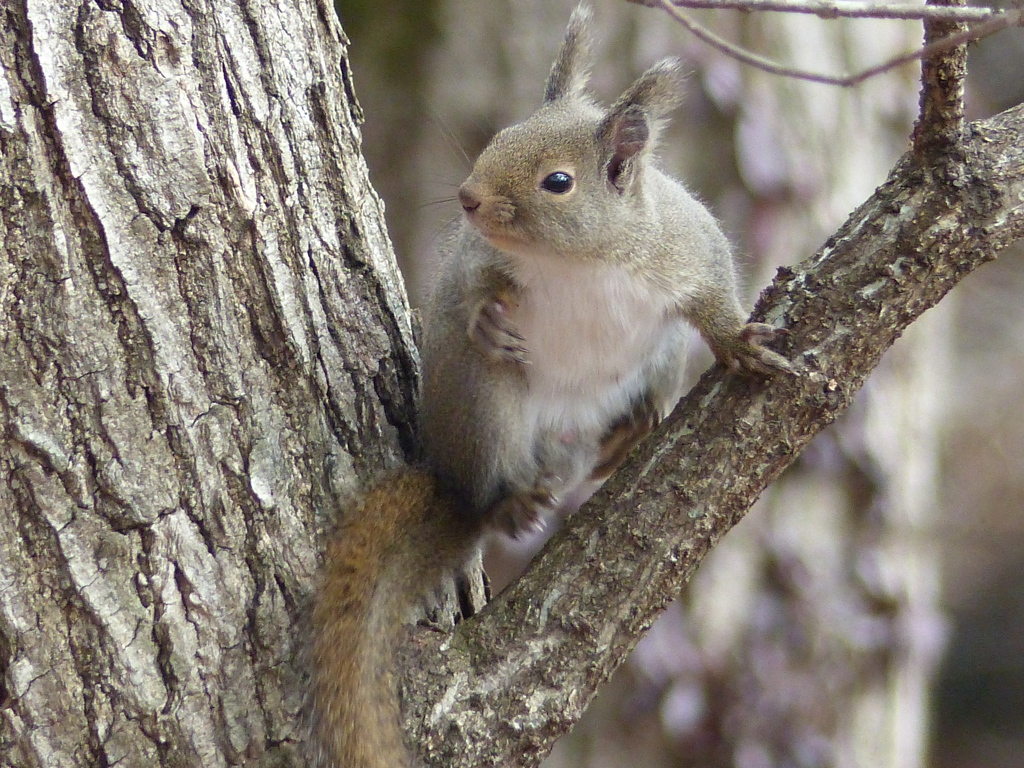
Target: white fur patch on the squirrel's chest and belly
592,331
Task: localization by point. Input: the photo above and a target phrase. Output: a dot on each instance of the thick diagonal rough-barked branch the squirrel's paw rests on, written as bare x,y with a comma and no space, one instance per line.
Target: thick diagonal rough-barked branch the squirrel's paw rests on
544,647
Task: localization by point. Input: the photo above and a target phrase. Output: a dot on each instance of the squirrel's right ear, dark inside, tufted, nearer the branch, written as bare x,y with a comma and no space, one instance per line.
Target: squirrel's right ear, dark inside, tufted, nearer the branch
632,123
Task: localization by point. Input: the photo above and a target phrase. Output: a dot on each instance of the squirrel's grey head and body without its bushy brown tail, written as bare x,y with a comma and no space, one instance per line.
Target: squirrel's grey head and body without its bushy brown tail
562,307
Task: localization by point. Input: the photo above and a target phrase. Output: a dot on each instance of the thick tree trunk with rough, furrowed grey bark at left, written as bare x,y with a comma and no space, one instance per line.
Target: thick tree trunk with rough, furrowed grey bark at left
205,344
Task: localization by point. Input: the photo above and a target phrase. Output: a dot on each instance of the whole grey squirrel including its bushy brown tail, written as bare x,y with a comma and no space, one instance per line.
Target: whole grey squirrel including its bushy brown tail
554,340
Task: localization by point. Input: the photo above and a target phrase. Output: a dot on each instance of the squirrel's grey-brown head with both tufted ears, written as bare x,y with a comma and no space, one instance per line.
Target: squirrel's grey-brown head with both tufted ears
559,182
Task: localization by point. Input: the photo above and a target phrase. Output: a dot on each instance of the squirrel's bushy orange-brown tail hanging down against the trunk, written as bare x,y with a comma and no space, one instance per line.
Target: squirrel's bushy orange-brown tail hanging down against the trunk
394,546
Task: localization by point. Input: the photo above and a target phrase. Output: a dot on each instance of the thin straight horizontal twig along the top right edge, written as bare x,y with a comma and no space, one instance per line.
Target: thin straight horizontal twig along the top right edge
839,9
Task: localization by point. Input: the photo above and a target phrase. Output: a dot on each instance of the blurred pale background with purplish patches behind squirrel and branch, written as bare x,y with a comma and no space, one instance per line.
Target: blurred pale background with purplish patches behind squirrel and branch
870,611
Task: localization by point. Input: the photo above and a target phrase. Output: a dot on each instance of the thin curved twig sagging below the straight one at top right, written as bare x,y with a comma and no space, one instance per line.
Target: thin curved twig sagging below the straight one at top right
993,25
